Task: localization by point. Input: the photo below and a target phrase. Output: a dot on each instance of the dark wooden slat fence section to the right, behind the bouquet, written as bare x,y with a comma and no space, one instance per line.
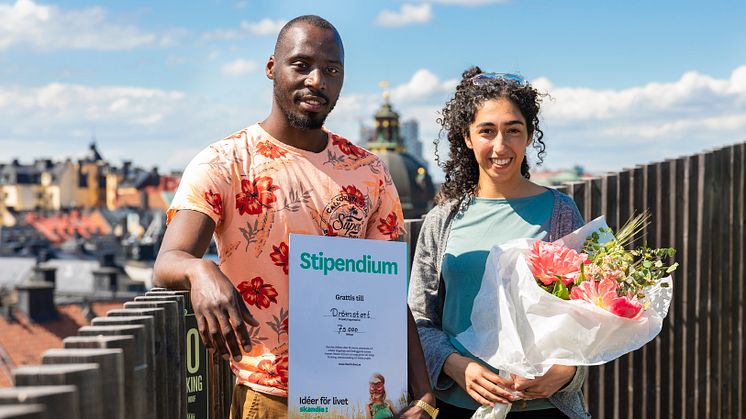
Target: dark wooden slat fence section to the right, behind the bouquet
695,367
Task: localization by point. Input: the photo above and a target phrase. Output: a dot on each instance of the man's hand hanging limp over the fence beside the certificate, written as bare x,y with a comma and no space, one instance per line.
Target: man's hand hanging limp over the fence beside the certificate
220,311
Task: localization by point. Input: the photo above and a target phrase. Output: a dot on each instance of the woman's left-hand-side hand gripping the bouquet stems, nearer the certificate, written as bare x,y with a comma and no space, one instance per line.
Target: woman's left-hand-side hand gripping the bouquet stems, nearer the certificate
483,385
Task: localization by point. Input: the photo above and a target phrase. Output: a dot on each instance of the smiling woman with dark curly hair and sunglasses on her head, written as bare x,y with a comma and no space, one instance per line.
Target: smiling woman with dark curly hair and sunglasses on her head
487,199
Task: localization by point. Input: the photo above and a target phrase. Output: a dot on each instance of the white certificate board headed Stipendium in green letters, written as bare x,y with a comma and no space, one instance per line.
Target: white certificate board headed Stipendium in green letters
348,327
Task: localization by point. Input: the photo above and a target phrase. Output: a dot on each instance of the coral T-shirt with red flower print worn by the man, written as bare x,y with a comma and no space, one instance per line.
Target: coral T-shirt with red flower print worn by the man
258,190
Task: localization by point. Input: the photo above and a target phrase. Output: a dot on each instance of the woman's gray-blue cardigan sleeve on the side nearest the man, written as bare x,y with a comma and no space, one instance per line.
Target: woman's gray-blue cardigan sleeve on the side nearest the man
426,298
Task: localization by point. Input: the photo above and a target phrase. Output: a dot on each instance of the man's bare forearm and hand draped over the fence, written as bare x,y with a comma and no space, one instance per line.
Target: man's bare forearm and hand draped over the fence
220,312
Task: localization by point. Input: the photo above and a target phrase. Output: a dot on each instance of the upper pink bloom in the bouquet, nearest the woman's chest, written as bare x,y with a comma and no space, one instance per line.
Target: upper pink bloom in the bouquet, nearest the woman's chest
550,262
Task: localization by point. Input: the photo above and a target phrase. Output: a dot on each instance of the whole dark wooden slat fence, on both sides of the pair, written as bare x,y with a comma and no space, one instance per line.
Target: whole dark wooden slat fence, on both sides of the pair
148,358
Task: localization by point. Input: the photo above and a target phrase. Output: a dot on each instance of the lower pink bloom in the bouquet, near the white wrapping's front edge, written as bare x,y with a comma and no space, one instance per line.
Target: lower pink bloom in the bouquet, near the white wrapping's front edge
603,294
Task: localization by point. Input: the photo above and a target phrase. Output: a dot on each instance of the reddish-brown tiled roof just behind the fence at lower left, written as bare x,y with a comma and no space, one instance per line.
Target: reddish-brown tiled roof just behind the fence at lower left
22,342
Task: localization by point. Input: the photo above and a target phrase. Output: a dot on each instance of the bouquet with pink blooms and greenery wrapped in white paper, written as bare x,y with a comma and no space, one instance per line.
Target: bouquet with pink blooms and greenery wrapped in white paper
582,300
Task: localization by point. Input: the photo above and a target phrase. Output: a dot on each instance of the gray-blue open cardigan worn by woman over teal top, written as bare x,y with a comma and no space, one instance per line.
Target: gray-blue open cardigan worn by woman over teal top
426,298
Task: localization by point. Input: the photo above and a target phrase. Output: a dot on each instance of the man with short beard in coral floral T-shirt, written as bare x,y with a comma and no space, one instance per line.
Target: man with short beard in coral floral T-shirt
286,174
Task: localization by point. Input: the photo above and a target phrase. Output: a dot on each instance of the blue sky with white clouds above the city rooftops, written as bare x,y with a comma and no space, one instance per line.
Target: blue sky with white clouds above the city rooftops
630,82
